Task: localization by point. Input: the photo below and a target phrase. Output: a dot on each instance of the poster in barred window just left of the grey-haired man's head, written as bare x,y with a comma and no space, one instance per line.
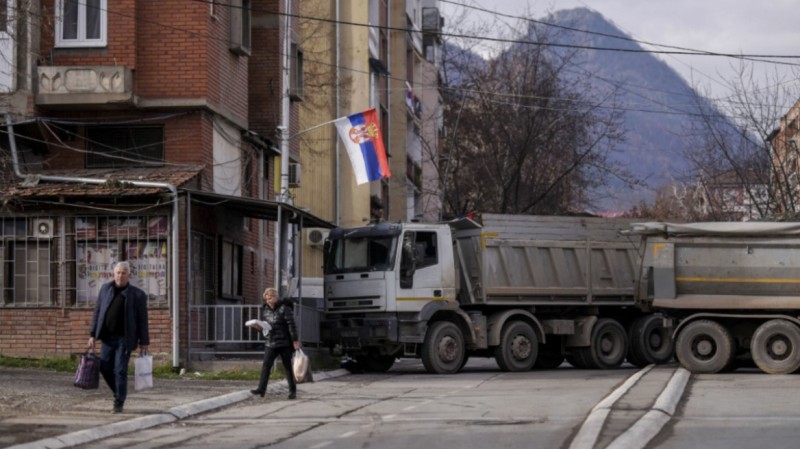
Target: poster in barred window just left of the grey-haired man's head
95,268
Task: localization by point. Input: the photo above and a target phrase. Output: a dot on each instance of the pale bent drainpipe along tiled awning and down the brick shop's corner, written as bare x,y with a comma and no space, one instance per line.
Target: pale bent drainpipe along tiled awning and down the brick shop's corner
175,235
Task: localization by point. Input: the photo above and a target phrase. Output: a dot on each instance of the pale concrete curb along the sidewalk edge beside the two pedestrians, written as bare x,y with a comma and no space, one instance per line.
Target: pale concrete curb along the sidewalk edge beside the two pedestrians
173,414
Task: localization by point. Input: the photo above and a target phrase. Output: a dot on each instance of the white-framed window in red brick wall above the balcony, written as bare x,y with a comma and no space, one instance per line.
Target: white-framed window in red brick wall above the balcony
81,23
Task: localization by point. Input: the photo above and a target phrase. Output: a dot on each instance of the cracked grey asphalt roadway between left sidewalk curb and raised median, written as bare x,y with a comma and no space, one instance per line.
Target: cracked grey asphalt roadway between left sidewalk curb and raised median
479,407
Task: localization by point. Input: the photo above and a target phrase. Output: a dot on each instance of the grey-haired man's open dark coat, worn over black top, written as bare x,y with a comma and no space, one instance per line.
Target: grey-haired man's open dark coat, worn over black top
136,325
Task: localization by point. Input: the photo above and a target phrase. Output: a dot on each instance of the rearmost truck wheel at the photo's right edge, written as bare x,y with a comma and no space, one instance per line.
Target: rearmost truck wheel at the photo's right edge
775,347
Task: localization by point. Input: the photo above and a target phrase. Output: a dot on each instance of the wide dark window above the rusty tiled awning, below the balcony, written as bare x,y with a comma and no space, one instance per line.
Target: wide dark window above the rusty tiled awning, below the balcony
111,147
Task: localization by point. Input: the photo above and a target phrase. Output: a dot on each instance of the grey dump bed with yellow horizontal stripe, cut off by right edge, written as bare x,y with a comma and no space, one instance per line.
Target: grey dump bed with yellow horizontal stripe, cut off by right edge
716,266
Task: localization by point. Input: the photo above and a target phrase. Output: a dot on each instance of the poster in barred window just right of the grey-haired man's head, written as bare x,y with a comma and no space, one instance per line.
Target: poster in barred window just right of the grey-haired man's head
149,268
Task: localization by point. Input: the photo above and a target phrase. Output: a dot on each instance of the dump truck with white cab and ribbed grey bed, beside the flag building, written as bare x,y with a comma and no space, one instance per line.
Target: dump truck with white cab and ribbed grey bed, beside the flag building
529,291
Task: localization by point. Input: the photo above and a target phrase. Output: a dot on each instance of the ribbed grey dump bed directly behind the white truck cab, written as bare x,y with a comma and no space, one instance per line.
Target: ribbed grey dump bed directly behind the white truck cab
535,260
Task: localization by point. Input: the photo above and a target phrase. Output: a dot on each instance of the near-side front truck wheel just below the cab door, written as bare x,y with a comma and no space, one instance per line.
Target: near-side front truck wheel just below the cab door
443,350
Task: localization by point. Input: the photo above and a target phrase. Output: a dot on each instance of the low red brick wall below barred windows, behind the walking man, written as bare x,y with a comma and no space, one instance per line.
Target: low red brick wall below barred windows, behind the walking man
39,332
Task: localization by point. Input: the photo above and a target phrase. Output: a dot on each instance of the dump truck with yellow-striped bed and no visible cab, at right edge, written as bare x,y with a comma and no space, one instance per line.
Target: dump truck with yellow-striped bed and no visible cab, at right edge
729,291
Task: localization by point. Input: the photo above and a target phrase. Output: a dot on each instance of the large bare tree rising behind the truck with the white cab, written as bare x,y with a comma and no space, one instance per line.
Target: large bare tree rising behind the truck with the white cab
523,136
